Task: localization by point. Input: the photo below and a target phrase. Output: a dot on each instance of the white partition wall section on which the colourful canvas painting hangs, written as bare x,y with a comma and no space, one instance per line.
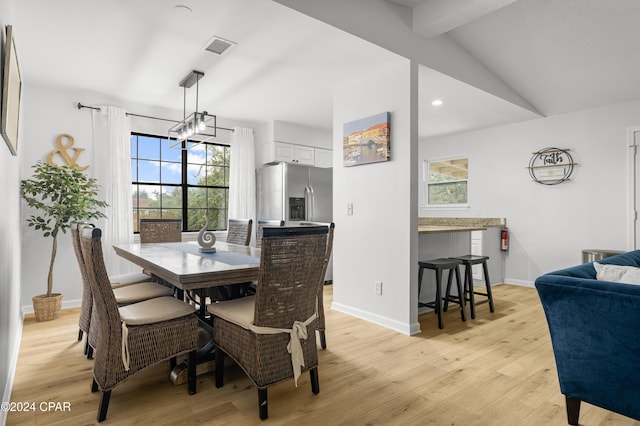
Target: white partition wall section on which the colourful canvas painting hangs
377,242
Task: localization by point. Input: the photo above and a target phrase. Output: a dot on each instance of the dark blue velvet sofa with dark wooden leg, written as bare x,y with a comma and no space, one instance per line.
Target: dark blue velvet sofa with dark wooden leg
595,334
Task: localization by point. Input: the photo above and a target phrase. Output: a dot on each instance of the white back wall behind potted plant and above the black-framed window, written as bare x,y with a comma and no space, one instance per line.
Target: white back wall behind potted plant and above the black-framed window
47,113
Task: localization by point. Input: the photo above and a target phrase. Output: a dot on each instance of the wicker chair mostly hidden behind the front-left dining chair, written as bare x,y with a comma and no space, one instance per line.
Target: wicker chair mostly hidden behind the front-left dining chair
128,288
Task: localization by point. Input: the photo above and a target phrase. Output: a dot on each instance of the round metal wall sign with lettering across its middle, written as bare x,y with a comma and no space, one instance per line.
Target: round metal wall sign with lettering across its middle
551,166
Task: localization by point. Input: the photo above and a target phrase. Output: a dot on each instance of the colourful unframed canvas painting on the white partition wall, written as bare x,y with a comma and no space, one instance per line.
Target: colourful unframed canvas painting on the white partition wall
367,140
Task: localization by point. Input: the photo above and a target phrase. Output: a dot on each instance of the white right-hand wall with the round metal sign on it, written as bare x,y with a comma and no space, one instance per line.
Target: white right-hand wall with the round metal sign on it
549,225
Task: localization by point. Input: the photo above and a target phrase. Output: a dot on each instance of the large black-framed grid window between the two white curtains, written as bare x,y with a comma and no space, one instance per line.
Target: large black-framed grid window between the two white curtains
179,184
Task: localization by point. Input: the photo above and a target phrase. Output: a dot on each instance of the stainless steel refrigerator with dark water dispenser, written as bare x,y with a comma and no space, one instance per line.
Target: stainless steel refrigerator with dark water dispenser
295,193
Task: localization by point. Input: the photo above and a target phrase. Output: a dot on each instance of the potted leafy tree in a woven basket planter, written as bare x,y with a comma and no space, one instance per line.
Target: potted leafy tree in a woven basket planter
60,196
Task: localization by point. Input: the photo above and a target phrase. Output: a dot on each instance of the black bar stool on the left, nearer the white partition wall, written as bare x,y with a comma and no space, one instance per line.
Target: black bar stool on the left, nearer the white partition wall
439,265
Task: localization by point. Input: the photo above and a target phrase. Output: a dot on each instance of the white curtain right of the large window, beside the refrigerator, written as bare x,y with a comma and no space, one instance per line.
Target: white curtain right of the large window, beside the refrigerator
242,175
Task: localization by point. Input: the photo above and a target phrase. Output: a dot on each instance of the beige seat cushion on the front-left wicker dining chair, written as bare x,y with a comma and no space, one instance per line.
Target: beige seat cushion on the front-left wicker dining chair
154,310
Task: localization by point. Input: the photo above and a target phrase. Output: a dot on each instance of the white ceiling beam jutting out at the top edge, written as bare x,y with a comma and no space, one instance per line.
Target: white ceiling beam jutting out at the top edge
432,18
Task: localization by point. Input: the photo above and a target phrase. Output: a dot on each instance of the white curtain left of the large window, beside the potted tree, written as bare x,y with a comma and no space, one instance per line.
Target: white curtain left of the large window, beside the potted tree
112,169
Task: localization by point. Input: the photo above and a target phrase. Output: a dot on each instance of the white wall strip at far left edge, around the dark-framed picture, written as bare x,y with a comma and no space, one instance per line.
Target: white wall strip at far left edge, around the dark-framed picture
10,253
